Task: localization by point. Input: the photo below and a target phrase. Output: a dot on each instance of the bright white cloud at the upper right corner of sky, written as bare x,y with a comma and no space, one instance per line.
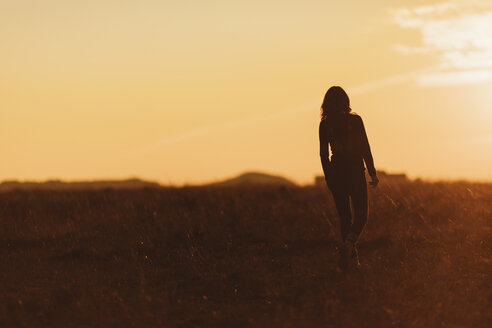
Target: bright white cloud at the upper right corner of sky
459,33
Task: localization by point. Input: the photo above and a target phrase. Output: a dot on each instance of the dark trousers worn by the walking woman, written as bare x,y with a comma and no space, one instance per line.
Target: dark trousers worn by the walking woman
350,188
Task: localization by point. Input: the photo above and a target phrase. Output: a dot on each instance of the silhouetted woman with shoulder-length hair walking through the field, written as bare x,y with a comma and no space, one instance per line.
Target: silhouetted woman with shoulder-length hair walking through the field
344,173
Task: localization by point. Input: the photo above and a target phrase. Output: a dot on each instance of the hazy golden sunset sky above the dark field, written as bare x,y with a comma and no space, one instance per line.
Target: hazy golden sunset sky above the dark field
186,92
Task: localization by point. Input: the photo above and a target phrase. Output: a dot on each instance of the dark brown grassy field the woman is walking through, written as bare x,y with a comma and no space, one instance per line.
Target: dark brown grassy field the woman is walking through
244,257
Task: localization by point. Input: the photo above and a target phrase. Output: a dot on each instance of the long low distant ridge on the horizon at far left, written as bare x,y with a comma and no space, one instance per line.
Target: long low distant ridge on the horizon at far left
78,185
